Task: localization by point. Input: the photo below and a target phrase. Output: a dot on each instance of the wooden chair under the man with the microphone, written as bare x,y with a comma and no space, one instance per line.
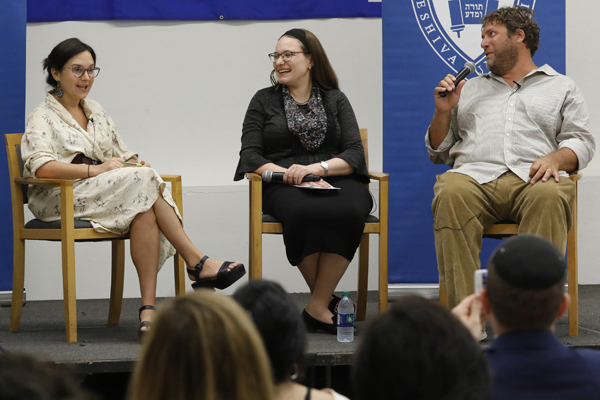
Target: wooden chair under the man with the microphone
506,229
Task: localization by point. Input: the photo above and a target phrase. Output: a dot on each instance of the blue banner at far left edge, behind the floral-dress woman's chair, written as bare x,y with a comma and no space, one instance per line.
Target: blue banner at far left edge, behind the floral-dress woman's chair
12,115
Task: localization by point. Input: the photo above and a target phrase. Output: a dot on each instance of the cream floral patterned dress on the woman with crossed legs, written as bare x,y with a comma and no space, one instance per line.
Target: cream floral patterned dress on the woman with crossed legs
110,200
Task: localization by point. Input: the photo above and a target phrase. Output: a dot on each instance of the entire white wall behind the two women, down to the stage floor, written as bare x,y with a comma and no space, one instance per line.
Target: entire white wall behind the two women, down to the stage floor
178,92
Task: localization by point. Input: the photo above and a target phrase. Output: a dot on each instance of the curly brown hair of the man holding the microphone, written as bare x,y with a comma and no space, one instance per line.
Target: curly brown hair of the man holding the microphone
517,17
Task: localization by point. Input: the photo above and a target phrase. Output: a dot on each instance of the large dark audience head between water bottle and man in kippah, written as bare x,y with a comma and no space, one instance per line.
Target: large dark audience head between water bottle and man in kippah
418,350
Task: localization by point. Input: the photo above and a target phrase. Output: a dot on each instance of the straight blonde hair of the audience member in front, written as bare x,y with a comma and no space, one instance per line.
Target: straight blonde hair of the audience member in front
202,346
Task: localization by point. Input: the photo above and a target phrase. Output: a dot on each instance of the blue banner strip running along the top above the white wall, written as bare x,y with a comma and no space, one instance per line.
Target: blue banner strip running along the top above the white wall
190,10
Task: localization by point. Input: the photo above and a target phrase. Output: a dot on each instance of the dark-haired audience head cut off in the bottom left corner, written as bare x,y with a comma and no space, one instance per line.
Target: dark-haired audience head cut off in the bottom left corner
23,377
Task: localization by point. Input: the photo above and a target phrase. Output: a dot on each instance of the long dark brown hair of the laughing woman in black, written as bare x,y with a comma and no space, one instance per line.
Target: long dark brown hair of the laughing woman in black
321,71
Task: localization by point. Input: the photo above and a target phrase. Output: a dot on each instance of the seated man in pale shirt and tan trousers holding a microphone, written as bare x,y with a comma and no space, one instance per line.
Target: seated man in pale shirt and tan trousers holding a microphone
511,137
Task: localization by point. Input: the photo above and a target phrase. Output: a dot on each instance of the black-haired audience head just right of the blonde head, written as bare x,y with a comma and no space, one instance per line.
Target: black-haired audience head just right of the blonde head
279,323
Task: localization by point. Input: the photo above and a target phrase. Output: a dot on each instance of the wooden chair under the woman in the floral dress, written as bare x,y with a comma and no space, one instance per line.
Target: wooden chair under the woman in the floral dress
67,231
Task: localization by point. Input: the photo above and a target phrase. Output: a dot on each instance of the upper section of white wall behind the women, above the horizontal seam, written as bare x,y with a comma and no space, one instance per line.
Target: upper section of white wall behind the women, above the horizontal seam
178,91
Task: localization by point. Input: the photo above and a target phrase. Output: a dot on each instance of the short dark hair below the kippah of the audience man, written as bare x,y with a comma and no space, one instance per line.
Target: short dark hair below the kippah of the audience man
517,308
